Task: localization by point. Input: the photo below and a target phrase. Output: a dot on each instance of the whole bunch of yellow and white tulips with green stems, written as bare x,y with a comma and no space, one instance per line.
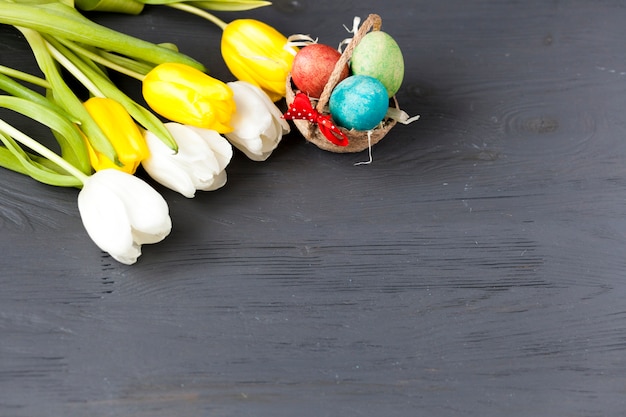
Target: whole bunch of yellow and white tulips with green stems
183,138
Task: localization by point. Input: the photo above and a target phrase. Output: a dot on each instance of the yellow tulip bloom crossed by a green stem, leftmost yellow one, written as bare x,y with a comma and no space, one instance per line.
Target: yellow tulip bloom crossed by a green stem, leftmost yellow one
123,133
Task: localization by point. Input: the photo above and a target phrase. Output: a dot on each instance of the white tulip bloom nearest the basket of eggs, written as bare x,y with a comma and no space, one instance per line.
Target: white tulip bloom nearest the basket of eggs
257,122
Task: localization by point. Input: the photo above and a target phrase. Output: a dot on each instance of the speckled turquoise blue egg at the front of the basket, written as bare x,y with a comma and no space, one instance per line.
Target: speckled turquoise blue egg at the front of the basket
359,102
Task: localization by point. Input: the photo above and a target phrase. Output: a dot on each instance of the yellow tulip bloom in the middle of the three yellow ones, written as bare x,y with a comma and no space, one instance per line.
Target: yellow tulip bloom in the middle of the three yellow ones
188,96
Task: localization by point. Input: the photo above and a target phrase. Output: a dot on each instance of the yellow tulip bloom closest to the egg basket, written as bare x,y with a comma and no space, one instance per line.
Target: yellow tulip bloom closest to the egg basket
256,52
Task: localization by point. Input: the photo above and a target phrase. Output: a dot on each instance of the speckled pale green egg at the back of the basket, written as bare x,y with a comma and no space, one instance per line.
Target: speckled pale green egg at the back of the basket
379,56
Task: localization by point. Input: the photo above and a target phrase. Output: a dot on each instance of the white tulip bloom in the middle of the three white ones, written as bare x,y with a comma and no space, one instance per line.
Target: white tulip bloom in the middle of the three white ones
199,164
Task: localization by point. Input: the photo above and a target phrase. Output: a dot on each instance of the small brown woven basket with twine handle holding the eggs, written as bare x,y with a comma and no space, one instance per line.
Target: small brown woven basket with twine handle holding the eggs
358,140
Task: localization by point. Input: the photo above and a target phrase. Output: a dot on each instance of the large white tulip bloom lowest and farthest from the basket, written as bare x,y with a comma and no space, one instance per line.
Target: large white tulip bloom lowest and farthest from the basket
121,212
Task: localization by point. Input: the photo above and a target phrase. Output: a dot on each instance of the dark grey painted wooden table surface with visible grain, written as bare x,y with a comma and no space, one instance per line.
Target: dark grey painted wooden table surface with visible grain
475,268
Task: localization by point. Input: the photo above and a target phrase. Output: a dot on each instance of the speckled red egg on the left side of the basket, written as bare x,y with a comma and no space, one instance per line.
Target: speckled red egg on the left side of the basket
312,67
